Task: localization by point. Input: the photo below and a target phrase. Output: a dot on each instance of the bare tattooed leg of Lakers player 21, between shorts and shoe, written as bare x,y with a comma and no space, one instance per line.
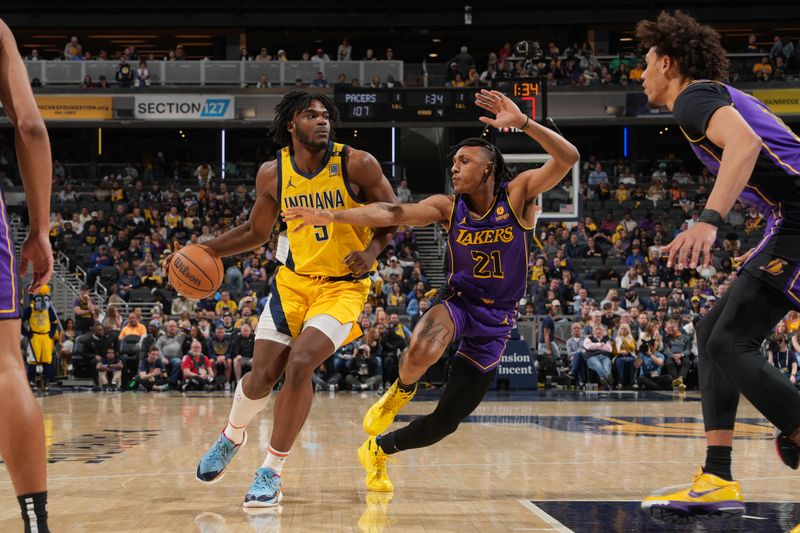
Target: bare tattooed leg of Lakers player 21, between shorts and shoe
430,338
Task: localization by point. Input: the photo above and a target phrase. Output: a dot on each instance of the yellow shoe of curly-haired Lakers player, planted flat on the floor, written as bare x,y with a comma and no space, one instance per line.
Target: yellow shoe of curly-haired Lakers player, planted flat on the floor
709,497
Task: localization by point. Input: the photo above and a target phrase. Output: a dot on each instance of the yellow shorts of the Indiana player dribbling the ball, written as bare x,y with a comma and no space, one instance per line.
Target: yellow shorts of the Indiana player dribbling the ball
295,299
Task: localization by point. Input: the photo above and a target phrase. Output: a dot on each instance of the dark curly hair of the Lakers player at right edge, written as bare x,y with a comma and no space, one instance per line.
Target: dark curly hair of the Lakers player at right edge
696,47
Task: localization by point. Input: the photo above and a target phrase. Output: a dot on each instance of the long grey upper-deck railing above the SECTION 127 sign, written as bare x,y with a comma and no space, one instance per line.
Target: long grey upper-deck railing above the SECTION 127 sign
237,73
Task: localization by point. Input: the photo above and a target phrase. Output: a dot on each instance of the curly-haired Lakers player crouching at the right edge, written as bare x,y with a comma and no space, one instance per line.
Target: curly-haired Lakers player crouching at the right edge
755,158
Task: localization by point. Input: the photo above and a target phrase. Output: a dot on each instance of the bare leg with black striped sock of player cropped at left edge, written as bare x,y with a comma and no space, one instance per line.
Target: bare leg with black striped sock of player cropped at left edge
22,443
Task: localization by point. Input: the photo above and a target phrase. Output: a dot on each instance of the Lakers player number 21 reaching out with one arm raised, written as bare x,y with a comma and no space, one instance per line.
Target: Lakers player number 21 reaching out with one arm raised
487,220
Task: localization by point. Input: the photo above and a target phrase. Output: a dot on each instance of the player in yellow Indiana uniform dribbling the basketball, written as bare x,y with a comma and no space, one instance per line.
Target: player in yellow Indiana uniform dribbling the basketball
319,290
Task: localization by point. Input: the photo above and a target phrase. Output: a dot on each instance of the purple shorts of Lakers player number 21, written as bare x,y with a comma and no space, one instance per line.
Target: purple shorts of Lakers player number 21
483,330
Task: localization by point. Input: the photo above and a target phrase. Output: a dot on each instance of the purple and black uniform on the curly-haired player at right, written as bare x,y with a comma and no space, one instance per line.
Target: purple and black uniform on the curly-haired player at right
773,189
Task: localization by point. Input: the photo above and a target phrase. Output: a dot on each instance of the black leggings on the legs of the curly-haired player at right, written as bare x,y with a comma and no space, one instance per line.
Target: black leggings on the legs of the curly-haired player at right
729,340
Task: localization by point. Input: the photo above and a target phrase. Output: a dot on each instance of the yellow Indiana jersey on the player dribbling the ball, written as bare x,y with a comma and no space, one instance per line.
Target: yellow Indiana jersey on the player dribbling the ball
318,250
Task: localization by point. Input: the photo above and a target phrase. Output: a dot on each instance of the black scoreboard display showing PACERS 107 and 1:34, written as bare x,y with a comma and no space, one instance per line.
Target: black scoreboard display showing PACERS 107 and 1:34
433,104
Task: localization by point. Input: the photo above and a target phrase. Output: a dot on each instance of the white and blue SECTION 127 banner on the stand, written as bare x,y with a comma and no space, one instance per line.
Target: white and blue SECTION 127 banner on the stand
183,107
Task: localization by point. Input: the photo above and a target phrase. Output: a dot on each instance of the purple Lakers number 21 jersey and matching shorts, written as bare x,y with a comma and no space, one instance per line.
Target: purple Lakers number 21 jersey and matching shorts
487,263
